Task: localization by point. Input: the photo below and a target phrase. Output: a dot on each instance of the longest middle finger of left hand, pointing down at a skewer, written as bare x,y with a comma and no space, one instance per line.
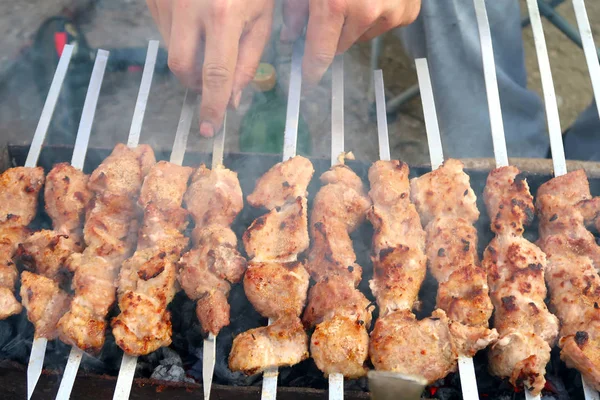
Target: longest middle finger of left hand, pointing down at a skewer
220,60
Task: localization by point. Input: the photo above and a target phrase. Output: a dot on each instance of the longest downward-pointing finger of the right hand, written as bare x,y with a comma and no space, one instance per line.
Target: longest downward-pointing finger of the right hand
322,36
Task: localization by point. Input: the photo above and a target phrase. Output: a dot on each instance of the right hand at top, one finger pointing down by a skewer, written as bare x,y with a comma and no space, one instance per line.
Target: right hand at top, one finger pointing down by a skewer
332,26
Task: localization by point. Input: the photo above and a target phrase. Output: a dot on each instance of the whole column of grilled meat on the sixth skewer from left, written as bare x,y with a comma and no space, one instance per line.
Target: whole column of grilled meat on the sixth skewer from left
275,282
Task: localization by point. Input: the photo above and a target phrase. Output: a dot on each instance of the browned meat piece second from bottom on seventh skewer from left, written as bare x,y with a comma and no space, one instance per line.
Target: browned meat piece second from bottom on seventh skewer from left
337,296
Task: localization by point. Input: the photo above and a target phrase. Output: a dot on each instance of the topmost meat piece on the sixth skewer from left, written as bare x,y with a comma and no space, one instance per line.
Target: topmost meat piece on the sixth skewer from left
283,183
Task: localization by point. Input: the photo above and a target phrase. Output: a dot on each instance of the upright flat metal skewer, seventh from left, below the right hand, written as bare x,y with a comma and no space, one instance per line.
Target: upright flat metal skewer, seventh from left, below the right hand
336,380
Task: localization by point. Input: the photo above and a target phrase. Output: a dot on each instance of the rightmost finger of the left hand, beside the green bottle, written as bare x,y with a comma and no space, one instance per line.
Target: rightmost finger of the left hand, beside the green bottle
251,49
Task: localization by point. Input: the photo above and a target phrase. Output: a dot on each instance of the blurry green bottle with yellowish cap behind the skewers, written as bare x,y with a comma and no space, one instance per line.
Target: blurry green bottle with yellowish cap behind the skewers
263,126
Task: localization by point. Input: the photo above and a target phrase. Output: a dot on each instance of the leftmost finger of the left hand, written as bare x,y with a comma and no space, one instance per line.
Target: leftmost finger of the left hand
185,46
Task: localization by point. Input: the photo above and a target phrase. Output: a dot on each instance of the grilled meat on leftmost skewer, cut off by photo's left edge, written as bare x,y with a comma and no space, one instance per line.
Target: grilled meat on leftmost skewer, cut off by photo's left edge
19,191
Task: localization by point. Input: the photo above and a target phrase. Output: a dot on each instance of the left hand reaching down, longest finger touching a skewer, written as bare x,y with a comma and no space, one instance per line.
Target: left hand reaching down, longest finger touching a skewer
214,48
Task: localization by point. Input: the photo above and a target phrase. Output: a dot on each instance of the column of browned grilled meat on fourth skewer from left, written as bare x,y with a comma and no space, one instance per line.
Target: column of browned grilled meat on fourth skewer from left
147,280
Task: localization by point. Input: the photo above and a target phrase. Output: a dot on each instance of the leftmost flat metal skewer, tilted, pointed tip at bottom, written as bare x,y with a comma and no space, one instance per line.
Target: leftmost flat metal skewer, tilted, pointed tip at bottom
38,348
